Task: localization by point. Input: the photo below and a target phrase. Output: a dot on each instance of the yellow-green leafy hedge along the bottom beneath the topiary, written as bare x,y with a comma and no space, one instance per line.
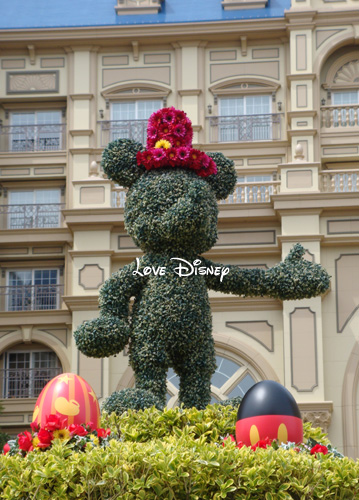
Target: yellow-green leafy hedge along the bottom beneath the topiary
177,454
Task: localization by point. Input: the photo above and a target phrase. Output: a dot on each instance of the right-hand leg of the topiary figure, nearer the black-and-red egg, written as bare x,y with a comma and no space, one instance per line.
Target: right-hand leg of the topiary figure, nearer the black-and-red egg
195,374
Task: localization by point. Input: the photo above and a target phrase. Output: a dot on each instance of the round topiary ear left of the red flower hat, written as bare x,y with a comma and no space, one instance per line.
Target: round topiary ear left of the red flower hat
119,161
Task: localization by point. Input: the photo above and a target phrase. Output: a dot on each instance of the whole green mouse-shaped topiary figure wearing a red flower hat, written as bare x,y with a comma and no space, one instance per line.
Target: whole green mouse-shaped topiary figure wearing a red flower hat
171,213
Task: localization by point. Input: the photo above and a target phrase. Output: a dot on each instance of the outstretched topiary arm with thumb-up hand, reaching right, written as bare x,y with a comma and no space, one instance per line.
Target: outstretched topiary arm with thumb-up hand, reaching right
292,279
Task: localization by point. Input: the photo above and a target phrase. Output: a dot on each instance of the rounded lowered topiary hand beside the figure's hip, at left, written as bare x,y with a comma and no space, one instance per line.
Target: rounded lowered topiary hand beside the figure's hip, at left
103,336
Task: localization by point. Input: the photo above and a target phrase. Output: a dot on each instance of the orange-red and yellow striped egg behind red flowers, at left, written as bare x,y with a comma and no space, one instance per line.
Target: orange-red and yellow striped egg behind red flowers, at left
70,397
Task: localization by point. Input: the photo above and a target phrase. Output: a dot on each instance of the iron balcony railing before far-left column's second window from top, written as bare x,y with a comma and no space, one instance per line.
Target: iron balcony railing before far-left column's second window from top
44,215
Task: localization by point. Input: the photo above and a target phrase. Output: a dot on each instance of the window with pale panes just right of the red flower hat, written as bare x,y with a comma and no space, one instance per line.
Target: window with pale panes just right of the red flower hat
245,118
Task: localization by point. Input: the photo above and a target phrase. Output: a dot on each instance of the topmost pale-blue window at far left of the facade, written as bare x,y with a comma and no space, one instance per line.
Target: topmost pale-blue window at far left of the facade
36,131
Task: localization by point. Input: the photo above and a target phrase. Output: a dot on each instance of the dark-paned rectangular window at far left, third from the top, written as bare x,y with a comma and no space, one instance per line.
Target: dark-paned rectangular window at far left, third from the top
35,289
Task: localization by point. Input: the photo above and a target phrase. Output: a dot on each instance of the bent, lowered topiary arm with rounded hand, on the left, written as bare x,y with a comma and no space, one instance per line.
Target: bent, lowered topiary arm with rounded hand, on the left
109,333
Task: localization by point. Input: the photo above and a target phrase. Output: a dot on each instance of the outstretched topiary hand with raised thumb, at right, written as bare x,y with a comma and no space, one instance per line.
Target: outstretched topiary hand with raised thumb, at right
296,278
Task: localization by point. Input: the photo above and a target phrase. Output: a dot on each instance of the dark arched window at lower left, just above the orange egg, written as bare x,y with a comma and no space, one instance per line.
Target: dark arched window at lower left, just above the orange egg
27,372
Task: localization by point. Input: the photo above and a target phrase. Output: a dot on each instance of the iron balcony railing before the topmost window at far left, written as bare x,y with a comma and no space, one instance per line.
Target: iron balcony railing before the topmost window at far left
26,138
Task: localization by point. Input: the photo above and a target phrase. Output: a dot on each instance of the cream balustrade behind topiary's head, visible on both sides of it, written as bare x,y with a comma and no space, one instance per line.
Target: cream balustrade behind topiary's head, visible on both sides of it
245,192
